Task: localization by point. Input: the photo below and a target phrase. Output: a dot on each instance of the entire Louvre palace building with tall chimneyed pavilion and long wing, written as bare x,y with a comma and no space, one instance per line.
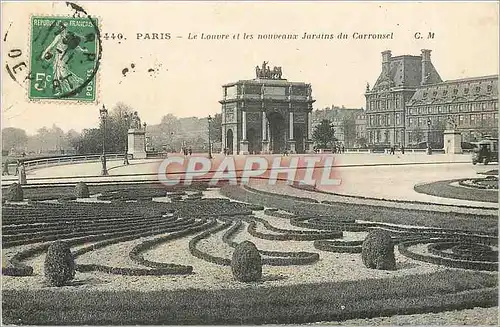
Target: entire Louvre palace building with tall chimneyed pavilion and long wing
409,103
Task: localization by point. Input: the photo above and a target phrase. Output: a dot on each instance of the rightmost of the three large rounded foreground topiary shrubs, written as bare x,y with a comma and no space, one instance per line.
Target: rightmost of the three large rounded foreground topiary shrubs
377,250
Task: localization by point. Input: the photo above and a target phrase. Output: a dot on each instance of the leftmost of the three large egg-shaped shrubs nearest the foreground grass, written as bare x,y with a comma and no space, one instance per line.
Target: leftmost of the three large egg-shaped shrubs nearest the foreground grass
59,264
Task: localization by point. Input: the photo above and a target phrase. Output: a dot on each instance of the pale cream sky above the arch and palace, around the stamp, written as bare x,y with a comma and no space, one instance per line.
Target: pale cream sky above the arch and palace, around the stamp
191,72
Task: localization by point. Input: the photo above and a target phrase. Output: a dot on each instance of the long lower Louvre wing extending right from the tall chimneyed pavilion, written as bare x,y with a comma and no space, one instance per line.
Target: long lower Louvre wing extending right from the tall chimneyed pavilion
472,104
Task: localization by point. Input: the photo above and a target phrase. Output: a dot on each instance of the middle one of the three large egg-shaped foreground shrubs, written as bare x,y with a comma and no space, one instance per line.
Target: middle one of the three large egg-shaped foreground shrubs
246,263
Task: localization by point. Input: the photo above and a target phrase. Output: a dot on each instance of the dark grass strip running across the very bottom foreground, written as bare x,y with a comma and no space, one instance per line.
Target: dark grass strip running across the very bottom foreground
303,303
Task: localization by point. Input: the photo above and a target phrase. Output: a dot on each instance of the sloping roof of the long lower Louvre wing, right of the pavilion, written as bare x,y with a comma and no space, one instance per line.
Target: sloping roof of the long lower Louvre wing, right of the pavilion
460,90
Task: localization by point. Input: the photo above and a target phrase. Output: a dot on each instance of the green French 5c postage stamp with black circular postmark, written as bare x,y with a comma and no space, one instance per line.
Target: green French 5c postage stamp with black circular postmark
64,57
